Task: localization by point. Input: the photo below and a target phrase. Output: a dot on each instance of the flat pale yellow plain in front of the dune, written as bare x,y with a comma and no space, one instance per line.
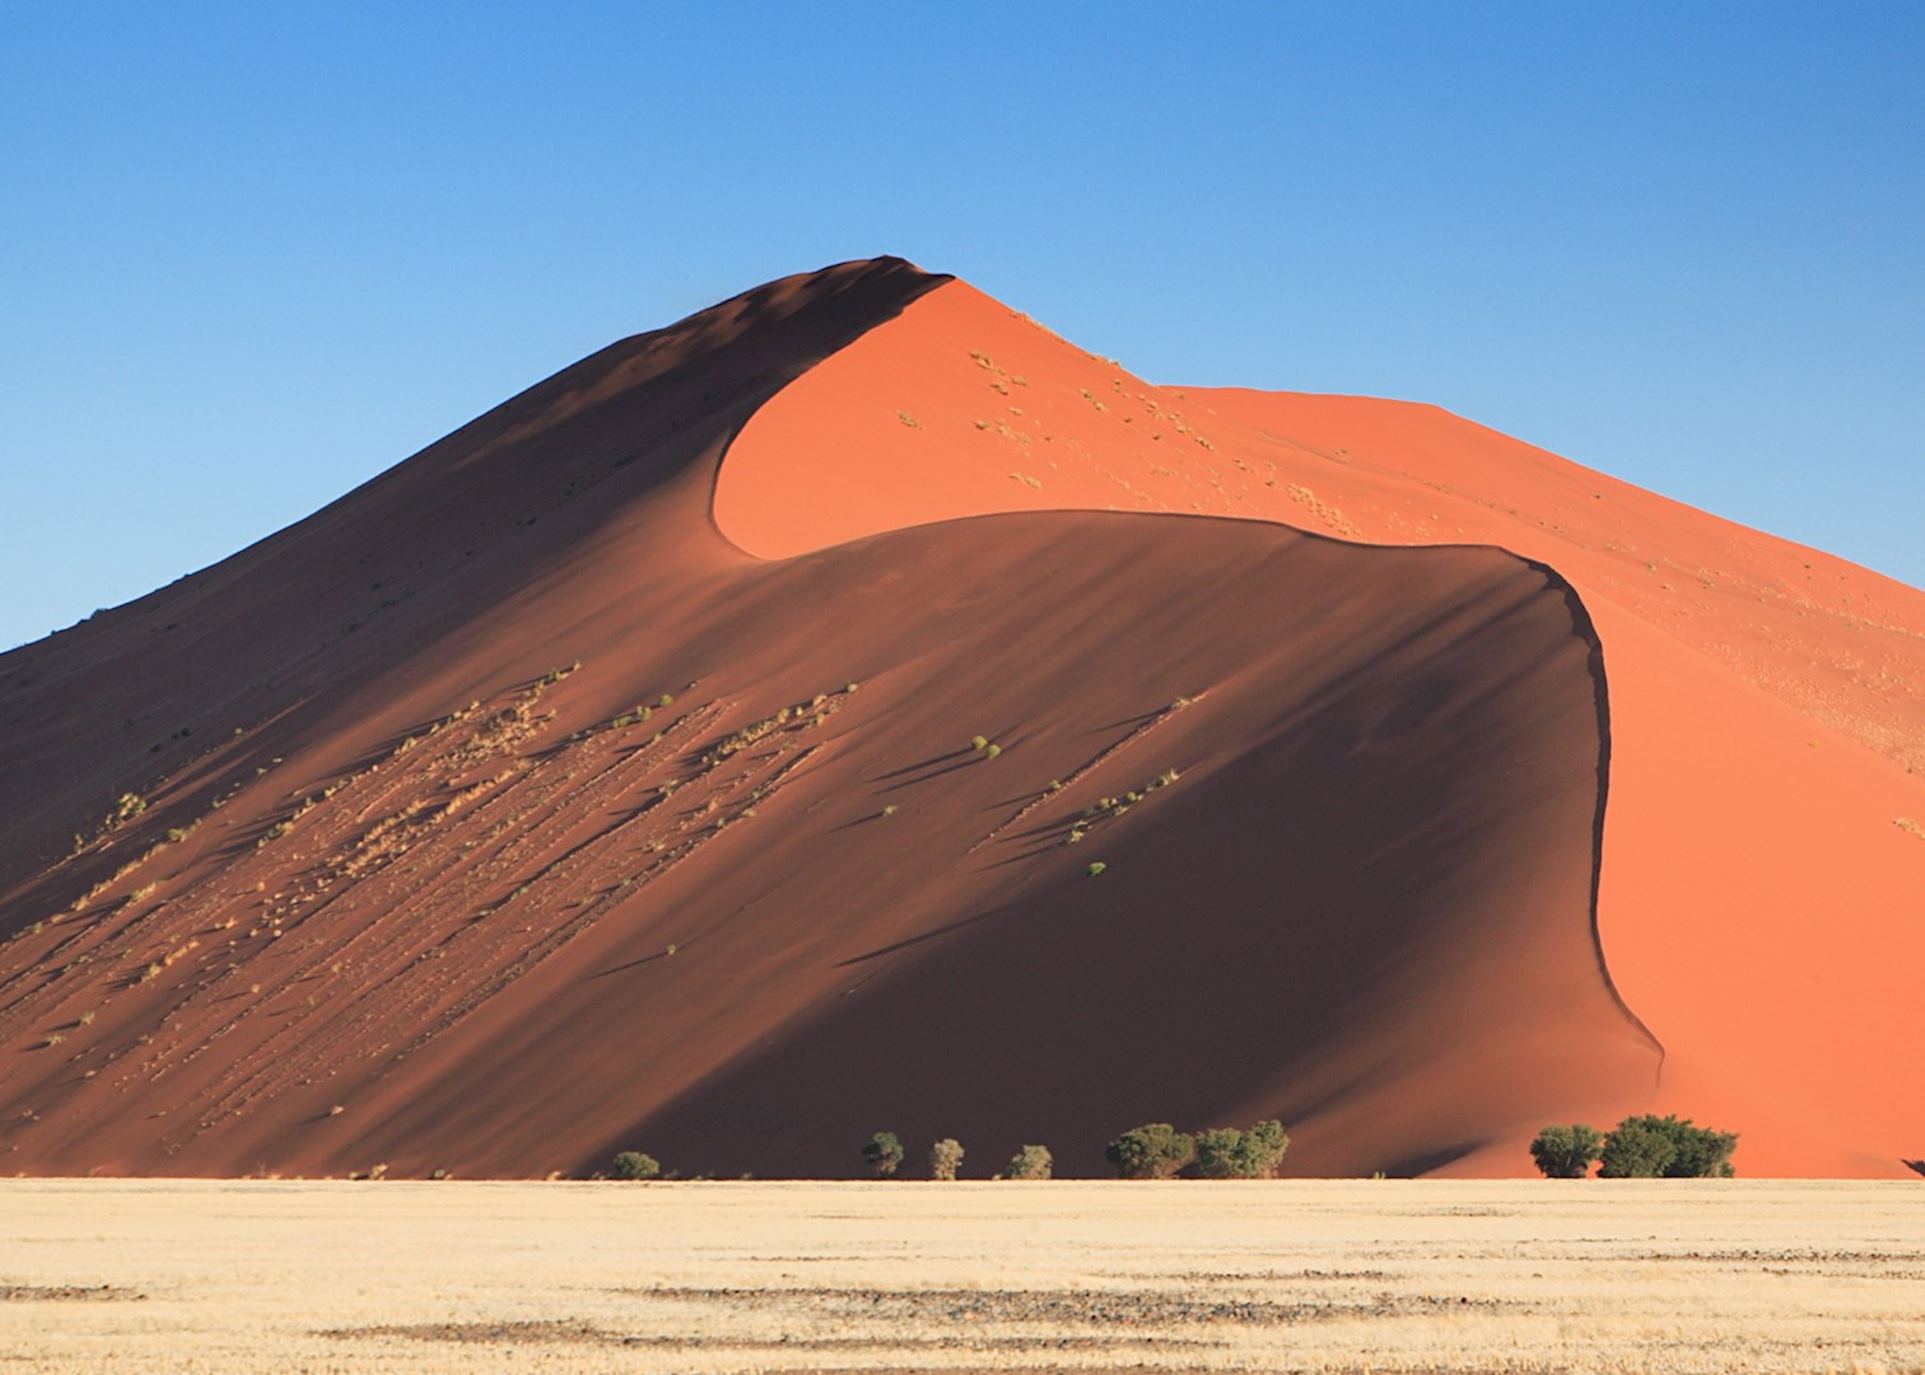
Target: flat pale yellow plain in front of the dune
808,1276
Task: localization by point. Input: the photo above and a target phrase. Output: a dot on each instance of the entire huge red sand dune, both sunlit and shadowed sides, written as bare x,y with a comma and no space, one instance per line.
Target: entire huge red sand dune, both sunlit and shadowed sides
415,883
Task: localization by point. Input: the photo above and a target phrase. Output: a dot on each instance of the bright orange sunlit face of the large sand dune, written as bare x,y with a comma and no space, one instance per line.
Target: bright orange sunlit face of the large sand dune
1768,702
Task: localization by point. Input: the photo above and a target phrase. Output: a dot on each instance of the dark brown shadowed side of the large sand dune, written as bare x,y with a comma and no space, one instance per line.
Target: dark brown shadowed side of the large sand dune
505,816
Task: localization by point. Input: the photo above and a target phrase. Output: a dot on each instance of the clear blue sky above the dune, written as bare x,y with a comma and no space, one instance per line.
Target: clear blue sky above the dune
255,253
